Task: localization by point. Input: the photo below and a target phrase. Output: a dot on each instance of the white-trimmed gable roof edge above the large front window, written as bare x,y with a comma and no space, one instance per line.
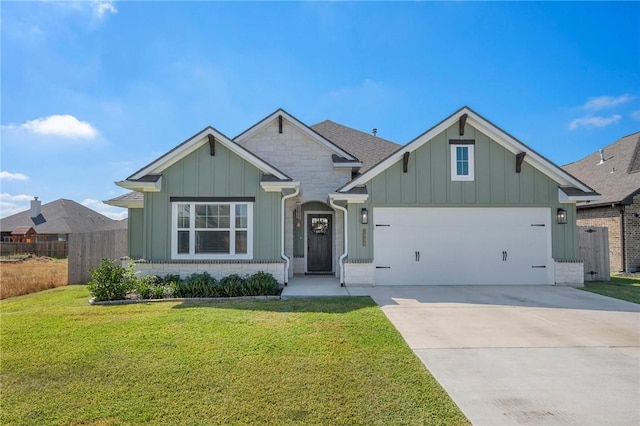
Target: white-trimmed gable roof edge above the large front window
149,177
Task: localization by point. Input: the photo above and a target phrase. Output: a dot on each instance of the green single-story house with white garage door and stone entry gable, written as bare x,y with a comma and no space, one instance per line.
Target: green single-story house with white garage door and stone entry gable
463,203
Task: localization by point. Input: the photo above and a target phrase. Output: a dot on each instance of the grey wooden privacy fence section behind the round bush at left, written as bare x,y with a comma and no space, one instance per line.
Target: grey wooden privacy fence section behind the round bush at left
87,250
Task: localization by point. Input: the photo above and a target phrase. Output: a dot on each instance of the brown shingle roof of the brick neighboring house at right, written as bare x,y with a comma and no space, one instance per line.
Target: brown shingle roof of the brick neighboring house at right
617,178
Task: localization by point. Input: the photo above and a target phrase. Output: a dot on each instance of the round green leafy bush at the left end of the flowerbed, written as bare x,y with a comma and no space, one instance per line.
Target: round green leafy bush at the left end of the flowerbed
110,281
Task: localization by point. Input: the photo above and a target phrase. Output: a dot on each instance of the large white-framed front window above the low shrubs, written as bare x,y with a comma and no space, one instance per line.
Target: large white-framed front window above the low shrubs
211,230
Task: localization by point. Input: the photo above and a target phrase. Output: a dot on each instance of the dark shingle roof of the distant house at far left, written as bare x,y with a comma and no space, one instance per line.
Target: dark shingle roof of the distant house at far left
58,217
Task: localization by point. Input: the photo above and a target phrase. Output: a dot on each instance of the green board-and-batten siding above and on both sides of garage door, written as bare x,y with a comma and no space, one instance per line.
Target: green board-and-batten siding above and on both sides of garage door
428,183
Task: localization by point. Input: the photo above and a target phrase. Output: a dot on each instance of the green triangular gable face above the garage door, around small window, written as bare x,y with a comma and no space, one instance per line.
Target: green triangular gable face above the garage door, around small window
427,180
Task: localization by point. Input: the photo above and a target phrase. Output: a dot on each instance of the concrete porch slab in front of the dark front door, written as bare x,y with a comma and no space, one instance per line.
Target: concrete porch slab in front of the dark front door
319,286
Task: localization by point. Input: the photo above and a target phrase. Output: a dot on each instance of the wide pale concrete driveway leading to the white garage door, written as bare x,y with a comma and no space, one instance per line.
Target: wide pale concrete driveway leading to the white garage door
512,355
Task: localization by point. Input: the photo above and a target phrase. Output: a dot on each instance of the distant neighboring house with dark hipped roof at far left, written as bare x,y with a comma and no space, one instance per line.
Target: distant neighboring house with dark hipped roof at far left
53,221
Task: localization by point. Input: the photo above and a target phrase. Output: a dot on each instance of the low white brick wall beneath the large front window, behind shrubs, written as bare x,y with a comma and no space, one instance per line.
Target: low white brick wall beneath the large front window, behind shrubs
216,268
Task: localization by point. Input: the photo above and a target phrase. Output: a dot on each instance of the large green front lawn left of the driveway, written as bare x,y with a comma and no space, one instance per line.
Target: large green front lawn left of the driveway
312,361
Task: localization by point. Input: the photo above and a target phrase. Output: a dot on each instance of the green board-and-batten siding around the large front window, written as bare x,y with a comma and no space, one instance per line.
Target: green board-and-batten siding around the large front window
200,174
